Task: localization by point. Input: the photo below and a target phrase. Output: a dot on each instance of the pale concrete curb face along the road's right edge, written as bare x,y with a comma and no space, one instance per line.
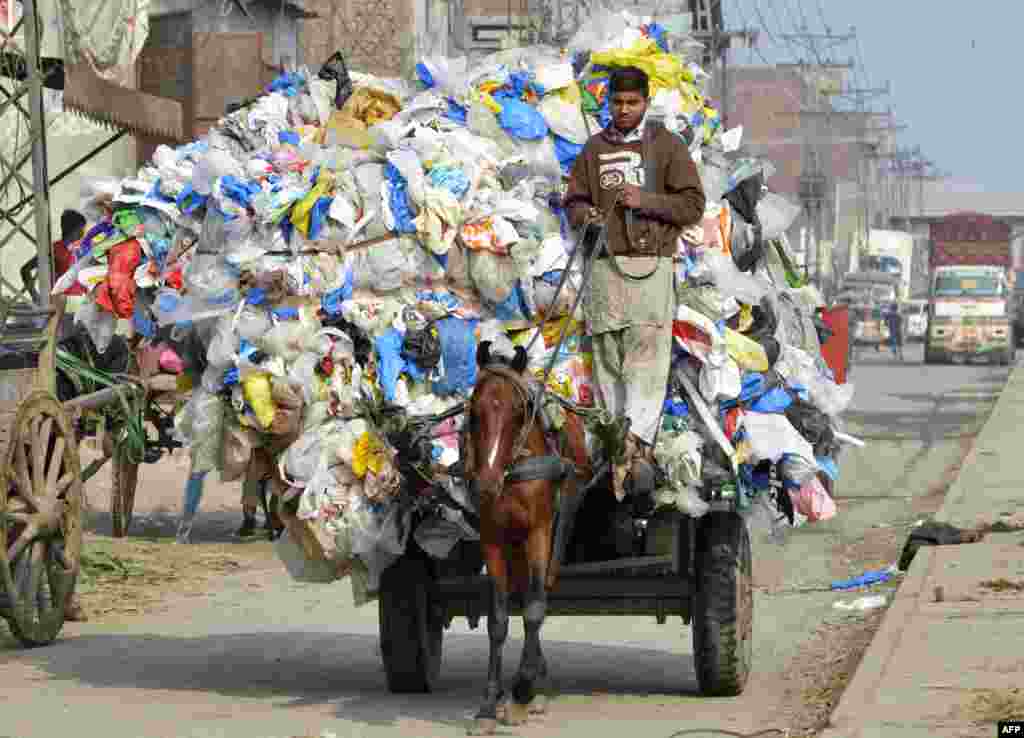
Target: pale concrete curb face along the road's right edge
847,720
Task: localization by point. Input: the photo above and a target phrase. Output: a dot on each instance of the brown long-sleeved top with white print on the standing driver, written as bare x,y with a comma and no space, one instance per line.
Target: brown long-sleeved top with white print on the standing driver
676,203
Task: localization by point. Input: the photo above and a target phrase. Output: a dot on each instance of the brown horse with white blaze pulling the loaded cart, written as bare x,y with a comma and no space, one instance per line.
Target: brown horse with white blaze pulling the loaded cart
517,480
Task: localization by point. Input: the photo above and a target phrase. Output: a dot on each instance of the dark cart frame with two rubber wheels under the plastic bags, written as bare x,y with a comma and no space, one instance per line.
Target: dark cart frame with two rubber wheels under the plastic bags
669,566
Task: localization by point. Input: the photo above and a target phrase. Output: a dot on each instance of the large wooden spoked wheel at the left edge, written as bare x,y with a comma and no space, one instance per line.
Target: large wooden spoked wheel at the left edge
40,520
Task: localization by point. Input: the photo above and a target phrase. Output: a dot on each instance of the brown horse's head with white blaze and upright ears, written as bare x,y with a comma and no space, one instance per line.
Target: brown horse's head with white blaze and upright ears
499,413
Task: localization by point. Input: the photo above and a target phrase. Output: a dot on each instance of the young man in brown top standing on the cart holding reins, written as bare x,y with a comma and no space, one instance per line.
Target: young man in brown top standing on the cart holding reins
637,180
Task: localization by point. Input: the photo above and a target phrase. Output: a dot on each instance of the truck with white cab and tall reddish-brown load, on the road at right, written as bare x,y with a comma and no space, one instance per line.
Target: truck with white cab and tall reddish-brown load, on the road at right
971,297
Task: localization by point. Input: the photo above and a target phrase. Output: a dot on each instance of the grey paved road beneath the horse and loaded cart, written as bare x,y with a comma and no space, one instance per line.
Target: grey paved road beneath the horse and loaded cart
269,659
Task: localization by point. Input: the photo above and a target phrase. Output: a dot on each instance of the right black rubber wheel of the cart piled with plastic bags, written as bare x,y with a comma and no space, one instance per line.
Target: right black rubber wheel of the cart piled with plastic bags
723,616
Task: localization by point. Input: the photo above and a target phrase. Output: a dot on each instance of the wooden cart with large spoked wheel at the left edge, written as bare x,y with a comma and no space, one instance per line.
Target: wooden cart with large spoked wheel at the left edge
42,481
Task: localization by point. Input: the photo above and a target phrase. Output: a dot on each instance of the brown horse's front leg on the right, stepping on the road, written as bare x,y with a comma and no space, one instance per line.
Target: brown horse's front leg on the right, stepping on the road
536,601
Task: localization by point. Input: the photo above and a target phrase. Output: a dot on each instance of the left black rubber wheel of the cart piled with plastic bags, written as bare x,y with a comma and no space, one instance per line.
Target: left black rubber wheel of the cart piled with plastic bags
412,634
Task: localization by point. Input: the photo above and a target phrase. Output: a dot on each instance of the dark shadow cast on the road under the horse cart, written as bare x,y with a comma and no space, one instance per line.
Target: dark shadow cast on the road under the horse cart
305,670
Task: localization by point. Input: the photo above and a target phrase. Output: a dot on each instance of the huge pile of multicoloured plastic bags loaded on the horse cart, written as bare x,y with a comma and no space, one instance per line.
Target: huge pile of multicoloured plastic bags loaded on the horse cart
344,243
